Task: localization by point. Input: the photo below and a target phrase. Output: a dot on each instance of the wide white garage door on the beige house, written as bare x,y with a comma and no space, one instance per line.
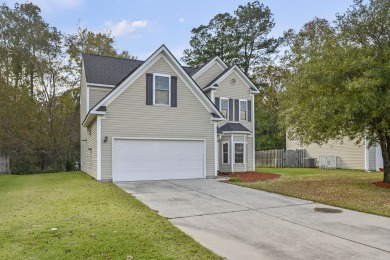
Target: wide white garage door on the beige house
135,160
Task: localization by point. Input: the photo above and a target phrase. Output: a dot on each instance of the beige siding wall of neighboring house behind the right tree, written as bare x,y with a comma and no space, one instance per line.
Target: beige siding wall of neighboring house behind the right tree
350,155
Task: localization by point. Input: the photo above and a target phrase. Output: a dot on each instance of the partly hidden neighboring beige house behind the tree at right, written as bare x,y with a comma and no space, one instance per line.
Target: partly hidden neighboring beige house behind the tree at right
349,154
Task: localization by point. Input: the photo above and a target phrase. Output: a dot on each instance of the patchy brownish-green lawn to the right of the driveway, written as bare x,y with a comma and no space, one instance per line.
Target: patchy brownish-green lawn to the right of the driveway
349,189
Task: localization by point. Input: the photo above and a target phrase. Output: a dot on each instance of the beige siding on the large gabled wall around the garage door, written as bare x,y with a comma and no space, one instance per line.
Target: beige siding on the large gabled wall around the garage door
129,116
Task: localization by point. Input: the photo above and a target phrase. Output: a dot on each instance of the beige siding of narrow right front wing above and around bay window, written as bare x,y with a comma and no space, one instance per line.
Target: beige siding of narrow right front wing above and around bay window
237,91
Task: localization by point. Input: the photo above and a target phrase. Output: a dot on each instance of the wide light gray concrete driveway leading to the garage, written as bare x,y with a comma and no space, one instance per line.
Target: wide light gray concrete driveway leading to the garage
242,223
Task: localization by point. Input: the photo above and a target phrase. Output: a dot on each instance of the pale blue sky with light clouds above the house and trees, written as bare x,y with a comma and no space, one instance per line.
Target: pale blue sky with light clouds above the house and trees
141,26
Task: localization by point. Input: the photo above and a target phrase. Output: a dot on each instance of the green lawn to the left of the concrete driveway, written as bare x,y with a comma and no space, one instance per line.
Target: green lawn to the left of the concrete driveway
71,216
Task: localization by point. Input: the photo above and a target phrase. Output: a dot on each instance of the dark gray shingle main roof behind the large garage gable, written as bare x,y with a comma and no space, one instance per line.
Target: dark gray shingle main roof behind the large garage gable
110,70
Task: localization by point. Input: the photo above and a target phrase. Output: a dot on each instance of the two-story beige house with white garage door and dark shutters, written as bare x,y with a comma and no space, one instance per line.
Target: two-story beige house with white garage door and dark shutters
156,119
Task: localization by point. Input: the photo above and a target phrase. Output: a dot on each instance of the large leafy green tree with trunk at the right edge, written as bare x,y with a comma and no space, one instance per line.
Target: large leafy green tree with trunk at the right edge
340,79
